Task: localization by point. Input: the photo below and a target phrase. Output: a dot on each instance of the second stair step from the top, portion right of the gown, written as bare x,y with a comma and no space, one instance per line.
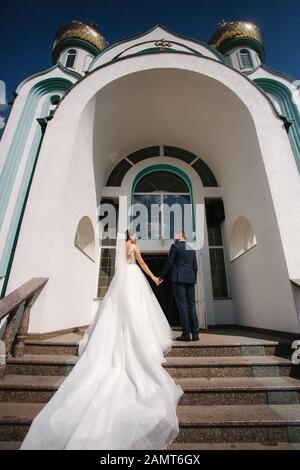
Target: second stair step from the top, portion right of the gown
235,366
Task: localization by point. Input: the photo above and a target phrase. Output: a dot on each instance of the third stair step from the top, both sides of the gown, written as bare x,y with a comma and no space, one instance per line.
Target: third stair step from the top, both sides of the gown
197,391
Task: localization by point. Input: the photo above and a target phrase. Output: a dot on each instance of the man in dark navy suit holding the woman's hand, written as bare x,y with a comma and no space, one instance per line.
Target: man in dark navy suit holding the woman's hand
183,265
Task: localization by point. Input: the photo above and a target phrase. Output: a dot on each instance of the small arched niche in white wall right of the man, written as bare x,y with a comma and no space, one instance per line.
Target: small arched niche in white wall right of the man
242,238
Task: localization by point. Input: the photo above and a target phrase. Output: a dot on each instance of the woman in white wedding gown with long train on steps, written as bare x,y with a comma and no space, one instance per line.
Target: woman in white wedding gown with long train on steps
118,395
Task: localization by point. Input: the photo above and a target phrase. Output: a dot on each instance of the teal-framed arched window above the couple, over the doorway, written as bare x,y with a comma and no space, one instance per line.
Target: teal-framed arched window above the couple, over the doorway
162,205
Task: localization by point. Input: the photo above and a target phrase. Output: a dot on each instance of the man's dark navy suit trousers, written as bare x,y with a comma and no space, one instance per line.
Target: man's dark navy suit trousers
184,294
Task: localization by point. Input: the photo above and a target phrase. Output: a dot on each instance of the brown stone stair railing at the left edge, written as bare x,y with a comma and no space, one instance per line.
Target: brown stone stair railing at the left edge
14,314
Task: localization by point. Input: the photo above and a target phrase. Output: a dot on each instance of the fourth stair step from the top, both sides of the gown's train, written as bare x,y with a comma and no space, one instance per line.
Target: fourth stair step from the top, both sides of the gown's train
198,424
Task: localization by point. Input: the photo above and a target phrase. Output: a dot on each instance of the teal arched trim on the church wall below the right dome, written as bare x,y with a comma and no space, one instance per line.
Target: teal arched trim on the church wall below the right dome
289,109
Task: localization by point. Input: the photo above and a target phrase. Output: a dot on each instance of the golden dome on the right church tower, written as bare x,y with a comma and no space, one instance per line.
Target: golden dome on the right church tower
230,30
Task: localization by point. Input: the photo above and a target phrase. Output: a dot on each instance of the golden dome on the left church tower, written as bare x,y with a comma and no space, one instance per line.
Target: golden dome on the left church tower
79,30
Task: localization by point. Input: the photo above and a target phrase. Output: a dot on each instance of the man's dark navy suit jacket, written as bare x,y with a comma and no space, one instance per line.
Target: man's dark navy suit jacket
181,264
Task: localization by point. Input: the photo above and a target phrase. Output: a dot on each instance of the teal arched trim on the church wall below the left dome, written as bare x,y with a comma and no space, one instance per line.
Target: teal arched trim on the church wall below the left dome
15,155
